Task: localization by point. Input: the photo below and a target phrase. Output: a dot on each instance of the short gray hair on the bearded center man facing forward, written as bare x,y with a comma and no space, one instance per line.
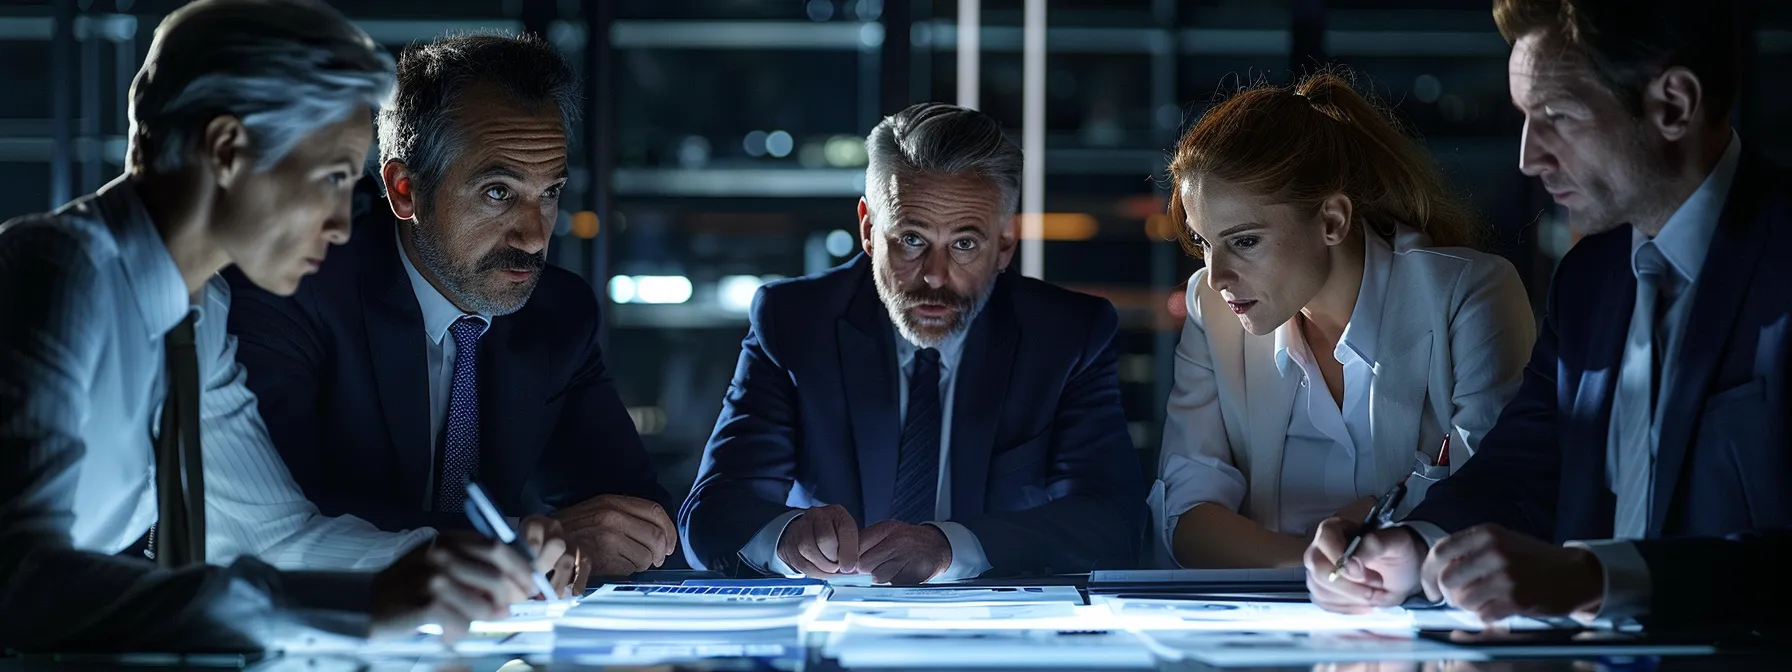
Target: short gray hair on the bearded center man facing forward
940,139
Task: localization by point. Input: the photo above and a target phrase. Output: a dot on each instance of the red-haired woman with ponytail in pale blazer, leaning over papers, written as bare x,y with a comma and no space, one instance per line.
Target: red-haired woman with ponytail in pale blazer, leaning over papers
1343,327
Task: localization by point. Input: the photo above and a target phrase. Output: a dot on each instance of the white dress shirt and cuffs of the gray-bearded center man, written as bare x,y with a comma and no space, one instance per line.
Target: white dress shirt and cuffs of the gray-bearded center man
969,558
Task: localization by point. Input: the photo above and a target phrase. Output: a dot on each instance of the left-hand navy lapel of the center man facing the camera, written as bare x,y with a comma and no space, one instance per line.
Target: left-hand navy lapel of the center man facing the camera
868,372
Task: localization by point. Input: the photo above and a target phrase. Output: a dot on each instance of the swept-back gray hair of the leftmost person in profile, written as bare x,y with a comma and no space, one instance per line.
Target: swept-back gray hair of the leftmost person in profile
282,67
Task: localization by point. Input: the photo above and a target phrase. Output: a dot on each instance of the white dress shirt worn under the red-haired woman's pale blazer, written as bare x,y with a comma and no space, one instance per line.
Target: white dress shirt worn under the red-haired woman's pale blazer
1329,458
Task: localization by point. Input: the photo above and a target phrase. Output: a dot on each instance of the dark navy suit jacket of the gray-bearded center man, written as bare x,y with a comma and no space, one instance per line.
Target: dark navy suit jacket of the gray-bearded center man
1044,472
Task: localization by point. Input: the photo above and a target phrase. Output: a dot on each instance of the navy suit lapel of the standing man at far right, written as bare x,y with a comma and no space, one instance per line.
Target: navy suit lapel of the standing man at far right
1725,282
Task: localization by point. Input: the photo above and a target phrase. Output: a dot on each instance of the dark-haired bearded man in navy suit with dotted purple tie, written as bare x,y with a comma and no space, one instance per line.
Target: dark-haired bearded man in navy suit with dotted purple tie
440,349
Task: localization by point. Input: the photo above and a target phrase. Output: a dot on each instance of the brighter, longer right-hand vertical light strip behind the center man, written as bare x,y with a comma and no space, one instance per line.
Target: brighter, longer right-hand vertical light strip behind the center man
1033,144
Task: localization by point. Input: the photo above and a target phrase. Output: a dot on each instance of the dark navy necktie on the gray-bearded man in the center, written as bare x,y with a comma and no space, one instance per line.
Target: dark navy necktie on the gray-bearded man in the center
918,456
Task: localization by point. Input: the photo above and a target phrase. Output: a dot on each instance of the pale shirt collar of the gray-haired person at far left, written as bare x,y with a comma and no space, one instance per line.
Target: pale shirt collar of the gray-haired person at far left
150,268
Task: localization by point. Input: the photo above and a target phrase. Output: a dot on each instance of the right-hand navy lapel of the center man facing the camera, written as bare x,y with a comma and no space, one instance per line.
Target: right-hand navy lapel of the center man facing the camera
979,393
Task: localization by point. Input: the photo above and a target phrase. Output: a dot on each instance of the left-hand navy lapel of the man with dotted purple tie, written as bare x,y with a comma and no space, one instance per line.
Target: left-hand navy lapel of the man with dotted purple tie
395,341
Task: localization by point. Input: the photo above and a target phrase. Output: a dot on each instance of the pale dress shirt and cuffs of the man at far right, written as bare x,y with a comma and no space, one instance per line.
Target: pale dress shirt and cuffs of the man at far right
1684,241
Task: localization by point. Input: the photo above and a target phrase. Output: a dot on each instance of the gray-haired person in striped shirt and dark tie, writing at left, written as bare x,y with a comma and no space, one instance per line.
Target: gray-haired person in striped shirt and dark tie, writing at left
126,431
